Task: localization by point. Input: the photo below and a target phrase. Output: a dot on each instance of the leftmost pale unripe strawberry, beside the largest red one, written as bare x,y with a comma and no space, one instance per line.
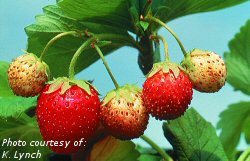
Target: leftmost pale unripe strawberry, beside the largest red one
27,75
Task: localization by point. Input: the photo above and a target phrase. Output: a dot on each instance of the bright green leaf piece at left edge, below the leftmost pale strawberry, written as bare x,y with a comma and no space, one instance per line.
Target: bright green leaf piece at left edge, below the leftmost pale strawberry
14,106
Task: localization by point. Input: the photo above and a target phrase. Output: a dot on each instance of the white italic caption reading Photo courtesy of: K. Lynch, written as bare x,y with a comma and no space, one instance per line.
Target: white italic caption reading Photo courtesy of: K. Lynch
15,154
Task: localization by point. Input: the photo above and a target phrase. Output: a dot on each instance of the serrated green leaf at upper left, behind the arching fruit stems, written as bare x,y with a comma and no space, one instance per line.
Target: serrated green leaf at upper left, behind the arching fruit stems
53,22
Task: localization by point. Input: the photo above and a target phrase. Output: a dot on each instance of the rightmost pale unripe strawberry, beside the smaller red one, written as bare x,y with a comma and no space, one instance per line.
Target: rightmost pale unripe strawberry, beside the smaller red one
206,70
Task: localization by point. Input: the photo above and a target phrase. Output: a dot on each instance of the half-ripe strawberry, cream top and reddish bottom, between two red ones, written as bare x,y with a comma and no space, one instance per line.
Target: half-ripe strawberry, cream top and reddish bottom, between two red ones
123,113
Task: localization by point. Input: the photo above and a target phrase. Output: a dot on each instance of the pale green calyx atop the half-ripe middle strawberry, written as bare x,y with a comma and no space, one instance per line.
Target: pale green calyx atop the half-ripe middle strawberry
124,92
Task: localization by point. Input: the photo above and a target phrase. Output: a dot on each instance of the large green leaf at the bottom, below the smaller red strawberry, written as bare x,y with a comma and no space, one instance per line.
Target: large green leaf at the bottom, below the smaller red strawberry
193,138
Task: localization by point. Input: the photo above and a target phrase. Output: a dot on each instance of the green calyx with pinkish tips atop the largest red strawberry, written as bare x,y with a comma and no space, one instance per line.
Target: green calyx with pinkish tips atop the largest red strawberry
65,83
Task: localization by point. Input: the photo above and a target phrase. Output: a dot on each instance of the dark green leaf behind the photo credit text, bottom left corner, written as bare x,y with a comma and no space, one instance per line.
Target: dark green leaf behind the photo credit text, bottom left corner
25,129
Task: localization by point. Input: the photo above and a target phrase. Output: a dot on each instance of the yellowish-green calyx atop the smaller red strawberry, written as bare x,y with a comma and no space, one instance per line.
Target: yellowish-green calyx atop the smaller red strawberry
165,67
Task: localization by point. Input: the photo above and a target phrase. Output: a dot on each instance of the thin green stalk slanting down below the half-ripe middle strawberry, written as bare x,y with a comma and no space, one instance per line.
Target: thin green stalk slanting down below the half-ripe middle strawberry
165,156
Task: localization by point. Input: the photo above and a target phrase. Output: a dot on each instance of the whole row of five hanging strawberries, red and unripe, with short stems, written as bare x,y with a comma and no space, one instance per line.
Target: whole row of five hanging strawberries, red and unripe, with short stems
70,109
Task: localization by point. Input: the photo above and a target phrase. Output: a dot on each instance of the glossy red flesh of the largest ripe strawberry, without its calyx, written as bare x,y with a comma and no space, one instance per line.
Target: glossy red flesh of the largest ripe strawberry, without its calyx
68,117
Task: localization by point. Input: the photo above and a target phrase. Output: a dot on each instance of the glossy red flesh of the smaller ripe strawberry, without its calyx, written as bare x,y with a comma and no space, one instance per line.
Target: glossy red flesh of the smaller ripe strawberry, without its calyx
167,97
